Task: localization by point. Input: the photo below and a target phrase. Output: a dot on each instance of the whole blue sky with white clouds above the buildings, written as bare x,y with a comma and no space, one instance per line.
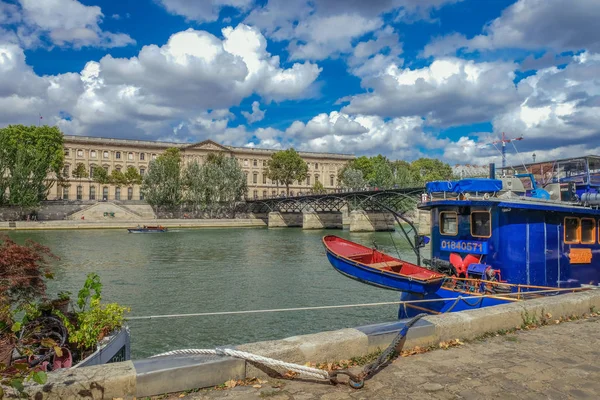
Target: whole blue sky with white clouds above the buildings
402,78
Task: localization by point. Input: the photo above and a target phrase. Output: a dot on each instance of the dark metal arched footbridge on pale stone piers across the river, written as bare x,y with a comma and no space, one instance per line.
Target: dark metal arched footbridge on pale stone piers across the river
360,211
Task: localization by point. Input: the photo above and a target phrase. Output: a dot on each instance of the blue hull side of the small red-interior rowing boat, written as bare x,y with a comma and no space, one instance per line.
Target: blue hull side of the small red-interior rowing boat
375,277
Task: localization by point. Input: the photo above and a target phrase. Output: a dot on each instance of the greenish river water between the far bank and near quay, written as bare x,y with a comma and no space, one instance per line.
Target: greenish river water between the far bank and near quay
209,270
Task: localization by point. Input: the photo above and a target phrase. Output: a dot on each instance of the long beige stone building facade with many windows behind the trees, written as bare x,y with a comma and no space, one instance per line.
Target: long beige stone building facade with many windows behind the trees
110,154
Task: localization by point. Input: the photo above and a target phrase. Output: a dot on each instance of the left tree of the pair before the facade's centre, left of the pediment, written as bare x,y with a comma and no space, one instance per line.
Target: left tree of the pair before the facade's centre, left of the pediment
162,185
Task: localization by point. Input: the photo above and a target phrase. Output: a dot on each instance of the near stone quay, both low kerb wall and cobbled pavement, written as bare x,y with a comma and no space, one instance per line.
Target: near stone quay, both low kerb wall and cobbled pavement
482,372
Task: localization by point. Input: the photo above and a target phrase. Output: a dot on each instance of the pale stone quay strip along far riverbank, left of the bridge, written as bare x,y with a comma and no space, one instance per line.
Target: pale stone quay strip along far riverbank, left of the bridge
169,223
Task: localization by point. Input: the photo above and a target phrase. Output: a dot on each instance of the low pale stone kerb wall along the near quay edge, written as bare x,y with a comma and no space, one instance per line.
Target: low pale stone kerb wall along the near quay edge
179,373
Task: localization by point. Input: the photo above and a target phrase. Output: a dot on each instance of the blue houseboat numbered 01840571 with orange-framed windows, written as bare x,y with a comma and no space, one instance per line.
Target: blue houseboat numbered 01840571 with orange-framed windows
531,231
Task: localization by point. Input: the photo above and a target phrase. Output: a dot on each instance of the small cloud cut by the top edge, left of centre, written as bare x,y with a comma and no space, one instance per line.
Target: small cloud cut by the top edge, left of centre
202,10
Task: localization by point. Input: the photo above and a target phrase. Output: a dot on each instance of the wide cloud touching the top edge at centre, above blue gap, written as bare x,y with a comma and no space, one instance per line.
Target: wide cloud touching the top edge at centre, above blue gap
321,28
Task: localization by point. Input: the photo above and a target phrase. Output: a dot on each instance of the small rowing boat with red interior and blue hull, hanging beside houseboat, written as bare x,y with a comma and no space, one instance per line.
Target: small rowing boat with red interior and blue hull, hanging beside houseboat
375,268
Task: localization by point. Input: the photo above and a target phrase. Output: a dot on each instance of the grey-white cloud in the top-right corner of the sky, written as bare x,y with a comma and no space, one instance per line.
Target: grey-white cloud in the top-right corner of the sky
532,24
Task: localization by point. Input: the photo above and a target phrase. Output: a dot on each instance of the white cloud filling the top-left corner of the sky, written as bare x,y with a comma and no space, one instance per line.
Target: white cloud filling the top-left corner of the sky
57,22
